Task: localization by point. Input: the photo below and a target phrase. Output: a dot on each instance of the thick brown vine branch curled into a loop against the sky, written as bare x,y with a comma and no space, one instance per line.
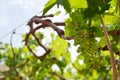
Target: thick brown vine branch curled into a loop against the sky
43,24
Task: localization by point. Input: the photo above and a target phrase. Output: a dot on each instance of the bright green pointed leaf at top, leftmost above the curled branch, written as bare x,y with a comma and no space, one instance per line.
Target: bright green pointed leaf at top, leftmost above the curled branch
48,6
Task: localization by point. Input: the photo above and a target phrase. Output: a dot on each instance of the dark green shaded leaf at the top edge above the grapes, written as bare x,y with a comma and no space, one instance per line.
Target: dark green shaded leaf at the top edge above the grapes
96,7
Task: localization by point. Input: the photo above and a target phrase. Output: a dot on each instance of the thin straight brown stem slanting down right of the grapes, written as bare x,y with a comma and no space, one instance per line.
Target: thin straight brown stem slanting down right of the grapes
113,63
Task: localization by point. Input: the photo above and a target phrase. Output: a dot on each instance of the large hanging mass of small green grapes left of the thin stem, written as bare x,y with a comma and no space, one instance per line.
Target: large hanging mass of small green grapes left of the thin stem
85,36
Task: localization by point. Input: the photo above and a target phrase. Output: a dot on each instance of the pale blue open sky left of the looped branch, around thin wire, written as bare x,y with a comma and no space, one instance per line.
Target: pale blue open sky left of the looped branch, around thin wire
15,12
